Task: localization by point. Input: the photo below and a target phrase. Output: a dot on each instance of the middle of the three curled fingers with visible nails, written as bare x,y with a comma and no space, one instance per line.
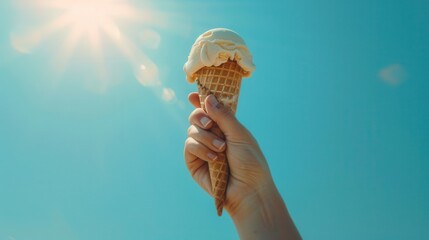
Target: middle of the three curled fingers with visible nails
207,138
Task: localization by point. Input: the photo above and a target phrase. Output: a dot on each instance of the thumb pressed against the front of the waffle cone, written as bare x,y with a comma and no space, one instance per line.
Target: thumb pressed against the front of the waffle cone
225,118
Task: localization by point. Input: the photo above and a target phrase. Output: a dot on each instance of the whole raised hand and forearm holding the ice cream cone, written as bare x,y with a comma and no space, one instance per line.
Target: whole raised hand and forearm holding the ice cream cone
252,199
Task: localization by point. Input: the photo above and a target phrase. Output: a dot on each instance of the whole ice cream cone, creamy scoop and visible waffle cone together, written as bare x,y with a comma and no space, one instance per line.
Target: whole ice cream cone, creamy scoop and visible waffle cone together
218,61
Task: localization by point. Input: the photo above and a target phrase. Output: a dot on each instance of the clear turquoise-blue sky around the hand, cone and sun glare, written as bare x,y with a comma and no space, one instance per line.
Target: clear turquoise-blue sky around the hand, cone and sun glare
339,103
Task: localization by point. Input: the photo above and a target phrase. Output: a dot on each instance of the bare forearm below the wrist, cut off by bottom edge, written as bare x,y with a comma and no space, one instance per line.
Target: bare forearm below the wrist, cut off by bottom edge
264,216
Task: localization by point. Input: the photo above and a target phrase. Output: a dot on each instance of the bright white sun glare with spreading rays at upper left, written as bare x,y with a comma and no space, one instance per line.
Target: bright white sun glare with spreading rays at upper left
93,22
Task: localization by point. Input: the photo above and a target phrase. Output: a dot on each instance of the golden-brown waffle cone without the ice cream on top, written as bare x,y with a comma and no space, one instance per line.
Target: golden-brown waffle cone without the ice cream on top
224,83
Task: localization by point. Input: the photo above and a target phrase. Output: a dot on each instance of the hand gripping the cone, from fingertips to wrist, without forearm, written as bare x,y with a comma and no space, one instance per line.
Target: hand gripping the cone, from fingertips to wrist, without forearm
248,168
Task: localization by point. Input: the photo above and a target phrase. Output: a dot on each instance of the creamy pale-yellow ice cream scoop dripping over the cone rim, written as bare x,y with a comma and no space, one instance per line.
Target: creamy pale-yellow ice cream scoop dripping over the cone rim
215,47
